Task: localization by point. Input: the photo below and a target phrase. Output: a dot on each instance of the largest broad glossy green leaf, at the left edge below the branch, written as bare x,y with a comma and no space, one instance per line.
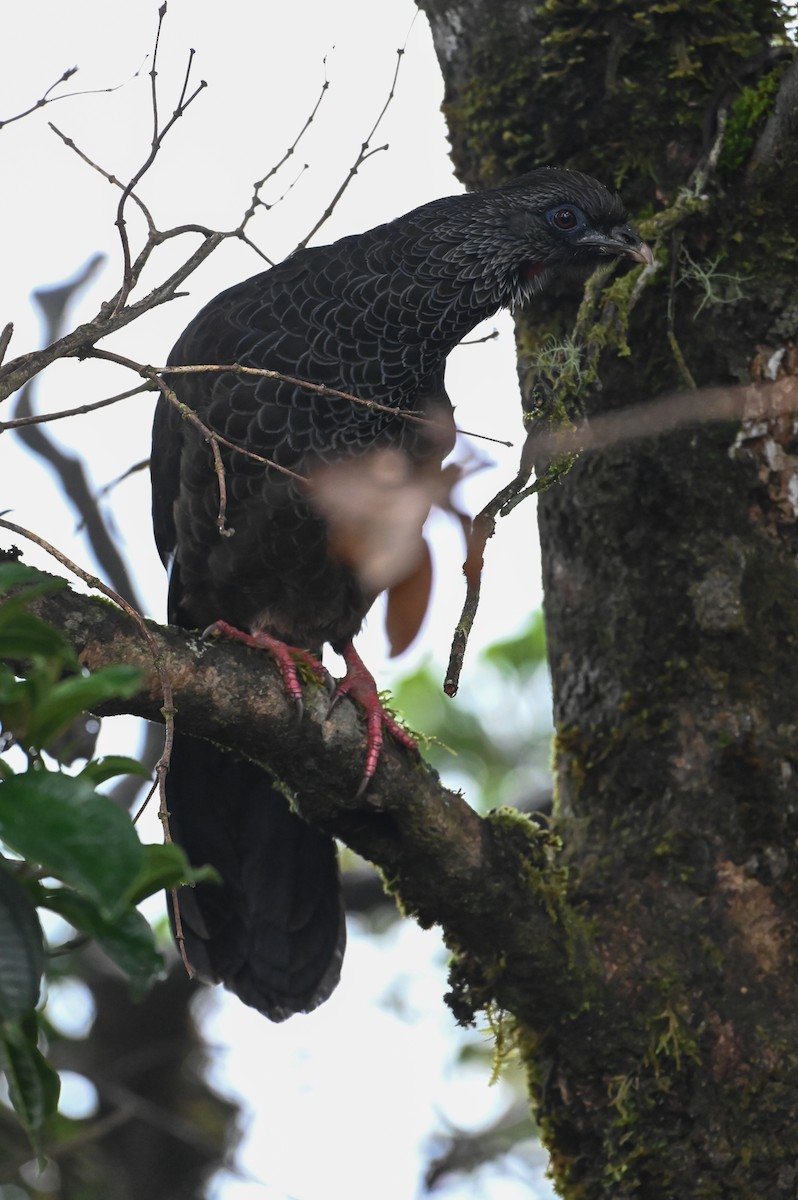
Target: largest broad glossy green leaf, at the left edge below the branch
74,832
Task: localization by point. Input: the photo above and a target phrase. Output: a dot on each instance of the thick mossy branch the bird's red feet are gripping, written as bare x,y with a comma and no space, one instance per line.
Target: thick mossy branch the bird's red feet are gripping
494,884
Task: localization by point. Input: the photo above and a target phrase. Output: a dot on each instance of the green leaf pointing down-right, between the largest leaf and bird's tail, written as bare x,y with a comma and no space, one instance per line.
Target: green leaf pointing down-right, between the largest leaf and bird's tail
127,938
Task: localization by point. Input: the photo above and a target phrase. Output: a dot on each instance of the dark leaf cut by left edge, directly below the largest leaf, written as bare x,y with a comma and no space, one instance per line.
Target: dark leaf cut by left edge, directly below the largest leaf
22,952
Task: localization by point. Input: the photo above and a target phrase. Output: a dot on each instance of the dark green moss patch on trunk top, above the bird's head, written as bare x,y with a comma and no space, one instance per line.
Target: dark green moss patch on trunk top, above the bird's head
544,89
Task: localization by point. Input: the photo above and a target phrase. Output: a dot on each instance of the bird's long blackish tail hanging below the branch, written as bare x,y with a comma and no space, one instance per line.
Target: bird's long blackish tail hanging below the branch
273,932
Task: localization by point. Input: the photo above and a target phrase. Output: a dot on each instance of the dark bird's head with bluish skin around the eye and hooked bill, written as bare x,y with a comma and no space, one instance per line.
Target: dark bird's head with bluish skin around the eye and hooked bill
551,223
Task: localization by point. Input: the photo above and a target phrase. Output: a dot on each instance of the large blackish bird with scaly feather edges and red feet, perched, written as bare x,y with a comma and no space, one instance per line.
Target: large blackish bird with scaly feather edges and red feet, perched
374,316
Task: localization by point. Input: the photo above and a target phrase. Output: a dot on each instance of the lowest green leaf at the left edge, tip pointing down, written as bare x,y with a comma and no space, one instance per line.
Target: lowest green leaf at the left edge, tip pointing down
34,1088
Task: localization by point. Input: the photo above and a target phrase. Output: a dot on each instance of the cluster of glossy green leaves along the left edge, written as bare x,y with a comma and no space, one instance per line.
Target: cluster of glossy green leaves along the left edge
65,847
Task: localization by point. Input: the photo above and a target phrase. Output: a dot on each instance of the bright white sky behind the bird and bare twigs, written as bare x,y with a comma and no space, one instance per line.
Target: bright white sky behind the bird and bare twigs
325,1125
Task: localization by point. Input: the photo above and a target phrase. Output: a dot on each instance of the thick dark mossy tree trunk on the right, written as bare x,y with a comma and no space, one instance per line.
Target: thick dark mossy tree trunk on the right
671,586
